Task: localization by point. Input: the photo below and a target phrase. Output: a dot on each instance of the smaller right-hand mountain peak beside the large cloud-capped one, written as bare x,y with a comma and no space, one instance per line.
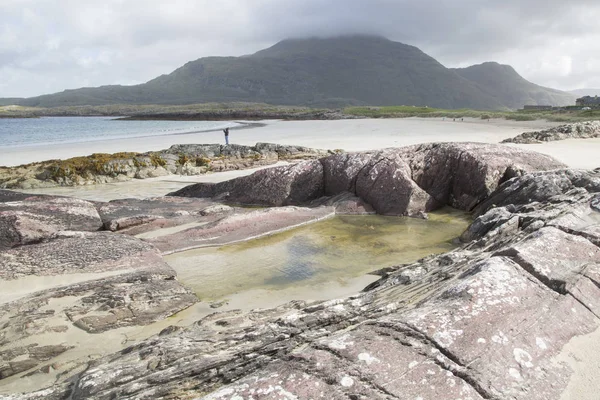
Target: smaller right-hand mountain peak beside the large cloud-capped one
504,84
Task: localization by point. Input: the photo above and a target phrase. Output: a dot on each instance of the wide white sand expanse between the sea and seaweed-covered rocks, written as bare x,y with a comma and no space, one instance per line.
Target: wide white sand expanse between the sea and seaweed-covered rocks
350,135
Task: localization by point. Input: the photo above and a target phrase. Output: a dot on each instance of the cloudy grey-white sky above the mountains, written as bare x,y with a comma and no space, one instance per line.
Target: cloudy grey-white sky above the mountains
51,45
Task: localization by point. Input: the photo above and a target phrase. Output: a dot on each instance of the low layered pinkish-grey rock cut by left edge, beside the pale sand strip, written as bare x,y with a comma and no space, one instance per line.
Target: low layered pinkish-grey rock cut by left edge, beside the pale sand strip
28,219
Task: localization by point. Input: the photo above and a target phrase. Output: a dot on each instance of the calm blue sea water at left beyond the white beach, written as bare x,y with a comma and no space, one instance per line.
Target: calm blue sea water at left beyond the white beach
39,131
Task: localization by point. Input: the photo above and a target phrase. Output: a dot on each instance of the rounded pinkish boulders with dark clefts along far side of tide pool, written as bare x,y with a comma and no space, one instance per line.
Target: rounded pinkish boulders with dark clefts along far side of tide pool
402,181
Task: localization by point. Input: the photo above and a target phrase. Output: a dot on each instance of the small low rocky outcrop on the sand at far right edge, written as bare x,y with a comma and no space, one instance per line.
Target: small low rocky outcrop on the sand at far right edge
577,130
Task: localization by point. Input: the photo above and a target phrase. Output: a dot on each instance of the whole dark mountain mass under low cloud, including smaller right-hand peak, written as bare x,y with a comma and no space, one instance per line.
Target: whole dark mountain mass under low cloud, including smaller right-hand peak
350,70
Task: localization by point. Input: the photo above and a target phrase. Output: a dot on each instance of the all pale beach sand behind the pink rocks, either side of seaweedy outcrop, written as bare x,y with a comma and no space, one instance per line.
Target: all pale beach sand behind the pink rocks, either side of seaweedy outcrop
350,135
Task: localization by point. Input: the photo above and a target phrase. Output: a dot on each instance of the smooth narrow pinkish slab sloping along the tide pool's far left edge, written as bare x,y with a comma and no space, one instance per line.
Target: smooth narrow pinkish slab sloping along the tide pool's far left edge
240,227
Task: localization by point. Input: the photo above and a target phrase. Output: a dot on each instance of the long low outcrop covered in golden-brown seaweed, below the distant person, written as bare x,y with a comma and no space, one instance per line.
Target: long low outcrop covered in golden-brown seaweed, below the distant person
191,159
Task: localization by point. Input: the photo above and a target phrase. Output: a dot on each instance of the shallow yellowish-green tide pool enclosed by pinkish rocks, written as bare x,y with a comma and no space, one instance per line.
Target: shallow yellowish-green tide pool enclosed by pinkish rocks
337,249
